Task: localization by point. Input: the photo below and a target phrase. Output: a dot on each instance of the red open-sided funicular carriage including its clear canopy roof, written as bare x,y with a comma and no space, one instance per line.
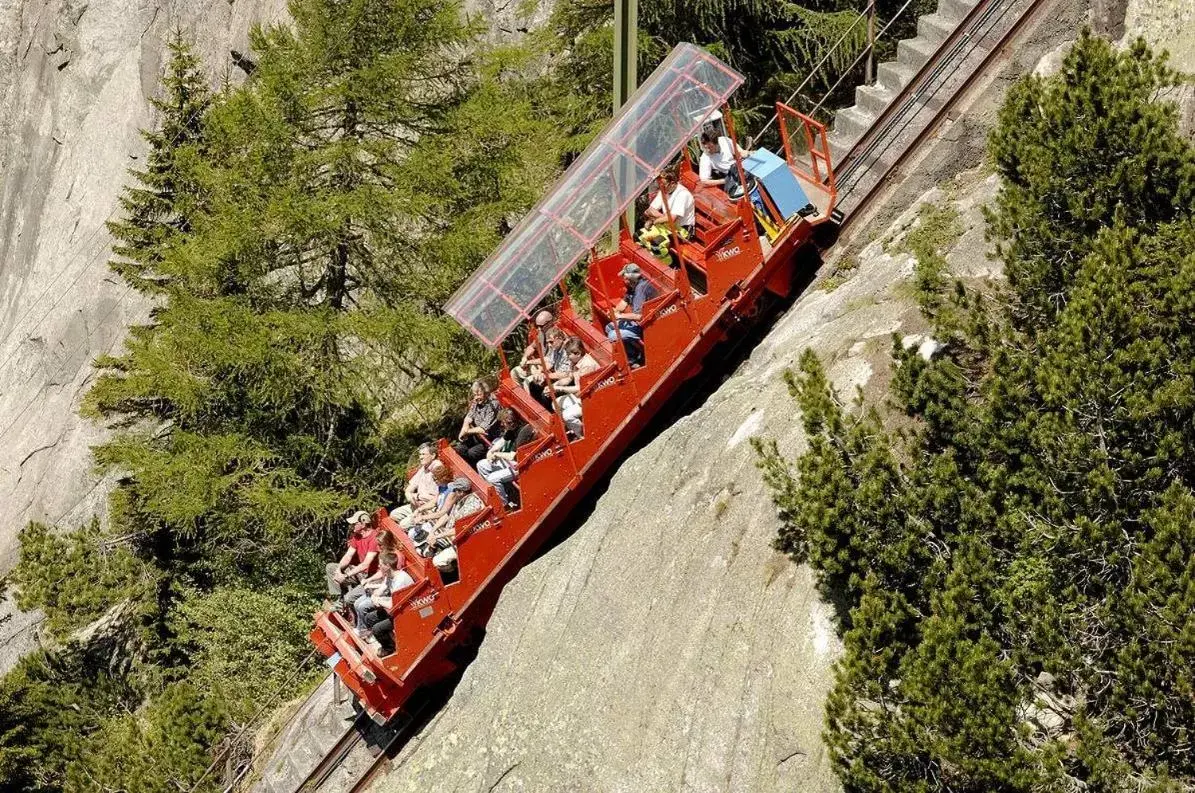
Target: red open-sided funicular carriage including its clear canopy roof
720,276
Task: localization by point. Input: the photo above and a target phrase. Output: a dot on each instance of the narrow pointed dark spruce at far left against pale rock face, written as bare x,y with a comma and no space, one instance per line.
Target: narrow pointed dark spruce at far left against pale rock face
161,208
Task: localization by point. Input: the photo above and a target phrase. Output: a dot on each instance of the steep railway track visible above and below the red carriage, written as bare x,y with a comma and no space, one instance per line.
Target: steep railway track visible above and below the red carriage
911,120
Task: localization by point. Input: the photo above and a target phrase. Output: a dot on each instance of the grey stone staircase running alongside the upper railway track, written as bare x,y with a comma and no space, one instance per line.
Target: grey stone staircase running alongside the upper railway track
871,101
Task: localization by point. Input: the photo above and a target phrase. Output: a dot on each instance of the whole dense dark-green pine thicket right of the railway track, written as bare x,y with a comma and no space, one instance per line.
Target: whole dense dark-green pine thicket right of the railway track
1040,514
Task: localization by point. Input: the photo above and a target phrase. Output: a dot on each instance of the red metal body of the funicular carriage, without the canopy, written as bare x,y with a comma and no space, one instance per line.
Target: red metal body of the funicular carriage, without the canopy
681,328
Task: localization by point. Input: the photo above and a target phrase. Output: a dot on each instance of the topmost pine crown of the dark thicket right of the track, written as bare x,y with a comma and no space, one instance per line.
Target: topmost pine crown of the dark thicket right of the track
1076,150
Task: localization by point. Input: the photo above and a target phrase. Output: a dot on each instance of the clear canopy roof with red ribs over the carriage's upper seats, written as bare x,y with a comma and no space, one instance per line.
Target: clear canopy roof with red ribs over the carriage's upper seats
651,130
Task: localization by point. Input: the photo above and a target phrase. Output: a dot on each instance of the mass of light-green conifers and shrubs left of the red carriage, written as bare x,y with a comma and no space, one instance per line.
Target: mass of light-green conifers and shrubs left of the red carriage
301,235
